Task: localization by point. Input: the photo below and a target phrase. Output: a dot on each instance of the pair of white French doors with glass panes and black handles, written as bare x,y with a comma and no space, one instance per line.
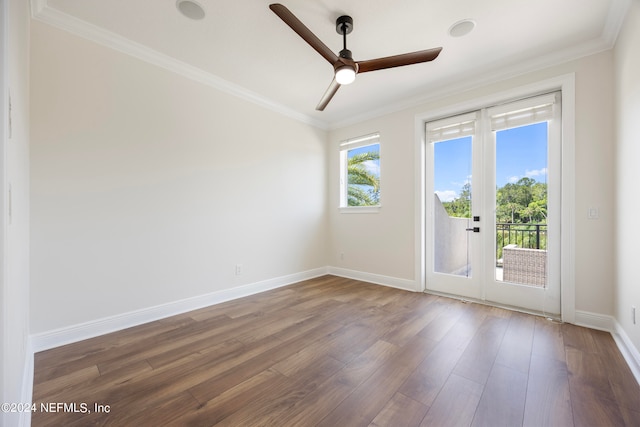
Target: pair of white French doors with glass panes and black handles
493,204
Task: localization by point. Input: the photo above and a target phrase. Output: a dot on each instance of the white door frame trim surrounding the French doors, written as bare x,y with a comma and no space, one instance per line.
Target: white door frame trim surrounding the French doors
564,83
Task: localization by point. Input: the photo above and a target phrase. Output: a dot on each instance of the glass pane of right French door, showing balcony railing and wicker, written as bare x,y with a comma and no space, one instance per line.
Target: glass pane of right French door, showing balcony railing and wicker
521,205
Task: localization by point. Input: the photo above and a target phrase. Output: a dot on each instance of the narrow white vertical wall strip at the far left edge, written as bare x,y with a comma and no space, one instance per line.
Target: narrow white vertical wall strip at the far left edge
17,363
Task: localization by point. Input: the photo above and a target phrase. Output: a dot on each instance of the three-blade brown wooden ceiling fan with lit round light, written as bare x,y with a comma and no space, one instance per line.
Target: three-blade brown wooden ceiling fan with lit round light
343,64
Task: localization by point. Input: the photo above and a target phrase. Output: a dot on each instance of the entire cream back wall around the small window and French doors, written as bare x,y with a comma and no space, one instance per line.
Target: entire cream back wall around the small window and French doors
385,243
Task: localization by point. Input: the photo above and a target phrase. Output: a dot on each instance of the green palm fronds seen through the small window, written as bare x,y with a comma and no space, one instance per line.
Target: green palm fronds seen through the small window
363,187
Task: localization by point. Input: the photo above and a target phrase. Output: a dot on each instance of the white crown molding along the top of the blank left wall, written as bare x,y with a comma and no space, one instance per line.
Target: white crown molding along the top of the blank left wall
42,12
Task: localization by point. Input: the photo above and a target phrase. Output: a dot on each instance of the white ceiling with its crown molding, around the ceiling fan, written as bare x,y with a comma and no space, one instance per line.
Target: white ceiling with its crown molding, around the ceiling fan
244,48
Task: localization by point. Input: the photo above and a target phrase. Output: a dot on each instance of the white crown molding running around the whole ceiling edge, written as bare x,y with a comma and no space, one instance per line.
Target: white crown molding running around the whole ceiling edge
461,83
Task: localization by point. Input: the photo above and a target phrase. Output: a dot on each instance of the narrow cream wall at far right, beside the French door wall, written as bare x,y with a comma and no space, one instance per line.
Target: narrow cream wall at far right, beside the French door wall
627,67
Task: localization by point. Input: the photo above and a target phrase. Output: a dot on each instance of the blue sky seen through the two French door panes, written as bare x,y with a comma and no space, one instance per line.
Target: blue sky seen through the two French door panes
520,152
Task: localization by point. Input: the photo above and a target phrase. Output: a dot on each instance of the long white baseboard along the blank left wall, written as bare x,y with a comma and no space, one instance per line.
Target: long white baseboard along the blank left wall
94,328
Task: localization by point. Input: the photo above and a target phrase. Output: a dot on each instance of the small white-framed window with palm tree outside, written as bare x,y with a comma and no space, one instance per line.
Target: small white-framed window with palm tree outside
360,172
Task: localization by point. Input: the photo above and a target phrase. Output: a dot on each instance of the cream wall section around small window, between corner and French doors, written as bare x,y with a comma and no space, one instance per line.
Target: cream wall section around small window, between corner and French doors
379,243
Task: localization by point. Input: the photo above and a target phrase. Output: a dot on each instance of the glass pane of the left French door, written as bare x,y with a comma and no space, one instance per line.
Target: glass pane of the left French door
452,206
